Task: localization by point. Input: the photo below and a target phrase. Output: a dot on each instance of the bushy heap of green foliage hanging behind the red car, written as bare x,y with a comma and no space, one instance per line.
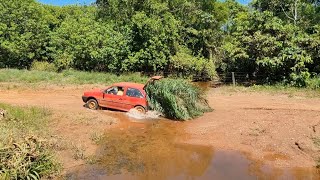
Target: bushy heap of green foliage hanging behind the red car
176,99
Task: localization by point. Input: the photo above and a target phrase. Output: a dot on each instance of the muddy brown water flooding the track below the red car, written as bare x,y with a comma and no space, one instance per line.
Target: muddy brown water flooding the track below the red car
152,149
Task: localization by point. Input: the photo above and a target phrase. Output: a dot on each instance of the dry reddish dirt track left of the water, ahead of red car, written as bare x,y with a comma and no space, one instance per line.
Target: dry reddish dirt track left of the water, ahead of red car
72,125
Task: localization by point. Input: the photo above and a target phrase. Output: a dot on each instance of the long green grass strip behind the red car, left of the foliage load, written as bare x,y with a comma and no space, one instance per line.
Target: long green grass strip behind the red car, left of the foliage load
67,77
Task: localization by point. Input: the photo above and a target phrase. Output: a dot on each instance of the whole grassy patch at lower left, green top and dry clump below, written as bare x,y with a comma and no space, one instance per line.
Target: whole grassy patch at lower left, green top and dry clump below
24,151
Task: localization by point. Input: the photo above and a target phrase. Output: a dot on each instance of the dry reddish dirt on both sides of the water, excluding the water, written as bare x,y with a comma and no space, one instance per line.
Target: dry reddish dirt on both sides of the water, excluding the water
276,129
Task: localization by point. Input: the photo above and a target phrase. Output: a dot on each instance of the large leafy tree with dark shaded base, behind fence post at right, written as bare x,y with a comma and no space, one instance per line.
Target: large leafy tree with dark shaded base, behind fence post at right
267,48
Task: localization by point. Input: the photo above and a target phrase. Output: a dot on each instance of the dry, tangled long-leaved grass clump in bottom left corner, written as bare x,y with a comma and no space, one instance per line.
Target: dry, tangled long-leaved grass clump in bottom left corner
27,159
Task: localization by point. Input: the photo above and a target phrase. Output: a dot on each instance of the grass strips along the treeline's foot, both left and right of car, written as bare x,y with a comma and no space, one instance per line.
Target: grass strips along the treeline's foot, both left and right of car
72,77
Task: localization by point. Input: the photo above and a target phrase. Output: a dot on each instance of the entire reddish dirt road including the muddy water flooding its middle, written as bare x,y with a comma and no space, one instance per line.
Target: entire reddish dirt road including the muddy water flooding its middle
247,136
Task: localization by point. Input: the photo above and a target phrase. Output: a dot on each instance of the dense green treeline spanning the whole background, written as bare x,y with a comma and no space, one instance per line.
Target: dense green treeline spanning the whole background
270,40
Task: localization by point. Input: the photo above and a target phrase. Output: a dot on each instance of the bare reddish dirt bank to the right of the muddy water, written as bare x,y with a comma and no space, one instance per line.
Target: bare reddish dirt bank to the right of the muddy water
276,129
